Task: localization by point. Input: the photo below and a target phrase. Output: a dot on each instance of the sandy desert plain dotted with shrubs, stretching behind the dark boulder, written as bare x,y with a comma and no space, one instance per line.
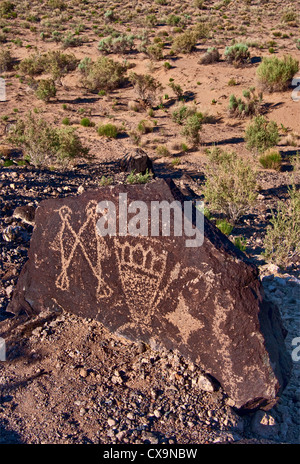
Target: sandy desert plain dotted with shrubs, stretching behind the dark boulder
202,87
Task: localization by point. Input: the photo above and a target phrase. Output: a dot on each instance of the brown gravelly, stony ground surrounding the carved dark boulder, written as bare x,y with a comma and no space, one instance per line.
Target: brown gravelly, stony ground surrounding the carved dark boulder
67,380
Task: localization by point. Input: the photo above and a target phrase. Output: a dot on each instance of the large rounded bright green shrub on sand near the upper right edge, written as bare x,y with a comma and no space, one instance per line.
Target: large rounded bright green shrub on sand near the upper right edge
275,74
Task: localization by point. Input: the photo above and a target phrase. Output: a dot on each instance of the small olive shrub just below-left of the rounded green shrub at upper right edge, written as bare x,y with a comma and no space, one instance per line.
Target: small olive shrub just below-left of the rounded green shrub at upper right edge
251,106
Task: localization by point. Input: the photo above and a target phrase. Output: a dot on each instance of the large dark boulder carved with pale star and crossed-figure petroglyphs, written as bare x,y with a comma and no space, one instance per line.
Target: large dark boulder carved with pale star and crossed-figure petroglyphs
206,302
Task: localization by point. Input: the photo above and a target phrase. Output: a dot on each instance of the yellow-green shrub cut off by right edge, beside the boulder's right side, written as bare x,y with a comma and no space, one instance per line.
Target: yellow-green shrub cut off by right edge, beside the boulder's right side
281,241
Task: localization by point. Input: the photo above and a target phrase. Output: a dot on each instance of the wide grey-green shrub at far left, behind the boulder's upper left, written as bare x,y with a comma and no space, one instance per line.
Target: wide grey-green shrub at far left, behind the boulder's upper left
44,144
